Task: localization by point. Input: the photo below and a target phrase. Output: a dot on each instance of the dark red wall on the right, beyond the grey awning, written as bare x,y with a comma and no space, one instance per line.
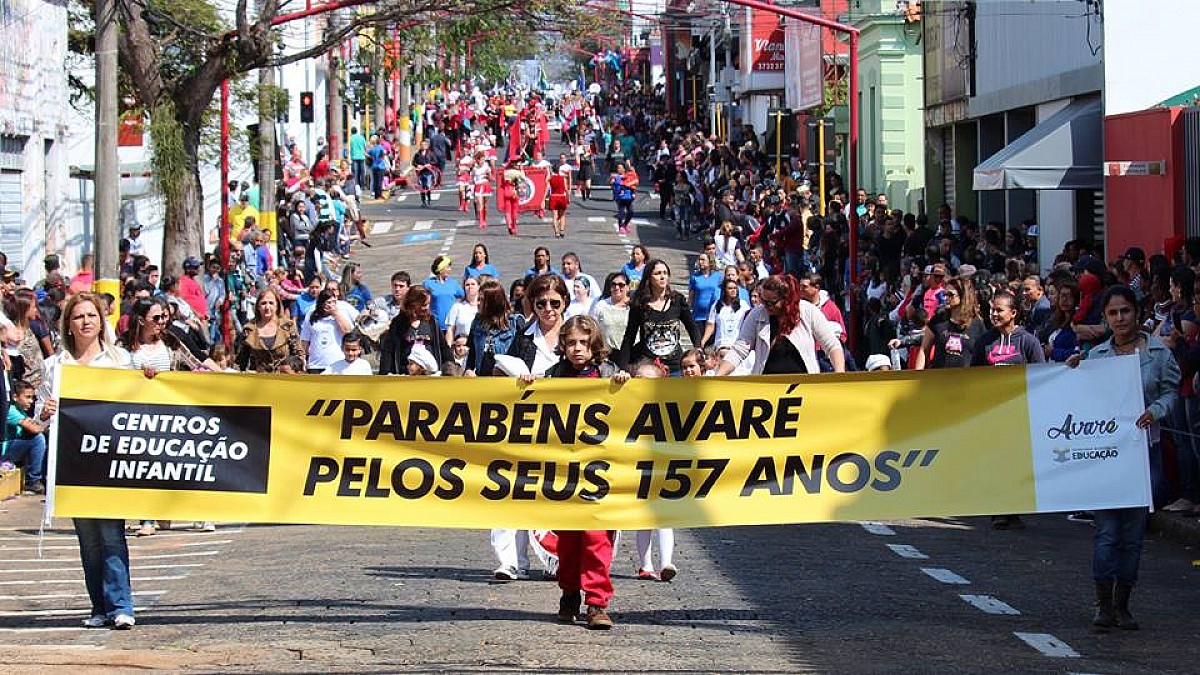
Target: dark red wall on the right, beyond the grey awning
1144,211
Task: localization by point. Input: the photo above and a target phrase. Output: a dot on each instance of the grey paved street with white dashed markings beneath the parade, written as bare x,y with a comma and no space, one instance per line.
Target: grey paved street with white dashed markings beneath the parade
915,596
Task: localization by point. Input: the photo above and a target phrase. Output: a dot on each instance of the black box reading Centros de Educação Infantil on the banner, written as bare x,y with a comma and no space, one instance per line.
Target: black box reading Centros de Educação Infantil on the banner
165,447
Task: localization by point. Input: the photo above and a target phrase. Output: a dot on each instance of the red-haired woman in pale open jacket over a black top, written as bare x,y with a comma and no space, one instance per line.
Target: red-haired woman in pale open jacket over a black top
783,333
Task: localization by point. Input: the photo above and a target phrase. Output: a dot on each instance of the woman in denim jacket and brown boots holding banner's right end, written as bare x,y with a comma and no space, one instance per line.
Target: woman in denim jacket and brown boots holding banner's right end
1117,549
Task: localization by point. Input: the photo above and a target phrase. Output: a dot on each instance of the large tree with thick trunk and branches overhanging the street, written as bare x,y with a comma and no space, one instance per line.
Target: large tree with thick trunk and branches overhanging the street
175,55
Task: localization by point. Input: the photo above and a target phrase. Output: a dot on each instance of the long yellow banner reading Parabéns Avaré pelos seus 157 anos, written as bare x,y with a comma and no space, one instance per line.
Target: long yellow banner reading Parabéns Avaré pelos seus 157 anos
589,455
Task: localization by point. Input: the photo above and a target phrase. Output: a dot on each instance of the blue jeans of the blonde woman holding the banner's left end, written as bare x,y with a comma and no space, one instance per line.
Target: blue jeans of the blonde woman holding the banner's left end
106,565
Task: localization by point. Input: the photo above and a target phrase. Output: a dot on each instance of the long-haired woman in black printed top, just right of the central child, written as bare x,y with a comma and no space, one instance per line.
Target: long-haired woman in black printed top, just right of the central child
659,318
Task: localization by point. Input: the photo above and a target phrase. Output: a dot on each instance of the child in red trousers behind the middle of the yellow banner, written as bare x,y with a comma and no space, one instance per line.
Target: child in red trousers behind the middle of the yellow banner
584,557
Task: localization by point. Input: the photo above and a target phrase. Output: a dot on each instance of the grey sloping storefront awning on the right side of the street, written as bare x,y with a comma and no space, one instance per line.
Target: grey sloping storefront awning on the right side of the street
1063,153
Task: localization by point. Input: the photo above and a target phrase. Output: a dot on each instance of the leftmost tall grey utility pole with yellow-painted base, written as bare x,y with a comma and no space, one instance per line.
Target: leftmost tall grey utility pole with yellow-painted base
107,177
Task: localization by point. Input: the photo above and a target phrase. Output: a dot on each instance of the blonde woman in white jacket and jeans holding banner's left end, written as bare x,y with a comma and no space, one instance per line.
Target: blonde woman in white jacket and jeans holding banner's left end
103,549
